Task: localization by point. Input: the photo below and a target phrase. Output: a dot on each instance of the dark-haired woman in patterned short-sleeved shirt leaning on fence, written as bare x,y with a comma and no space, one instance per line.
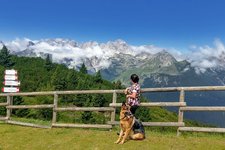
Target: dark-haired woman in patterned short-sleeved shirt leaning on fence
133,93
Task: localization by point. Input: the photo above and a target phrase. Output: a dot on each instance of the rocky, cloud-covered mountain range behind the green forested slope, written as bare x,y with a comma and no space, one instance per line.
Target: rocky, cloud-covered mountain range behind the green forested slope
157,67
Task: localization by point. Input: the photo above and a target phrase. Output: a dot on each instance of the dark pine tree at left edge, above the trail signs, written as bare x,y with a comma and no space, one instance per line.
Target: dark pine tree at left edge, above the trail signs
5,58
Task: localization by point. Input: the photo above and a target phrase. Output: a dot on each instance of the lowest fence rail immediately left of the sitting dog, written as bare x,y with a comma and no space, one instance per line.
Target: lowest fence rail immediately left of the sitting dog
101,126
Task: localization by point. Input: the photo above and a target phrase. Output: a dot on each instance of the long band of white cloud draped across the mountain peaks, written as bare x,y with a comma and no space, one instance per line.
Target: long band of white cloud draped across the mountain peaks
62,50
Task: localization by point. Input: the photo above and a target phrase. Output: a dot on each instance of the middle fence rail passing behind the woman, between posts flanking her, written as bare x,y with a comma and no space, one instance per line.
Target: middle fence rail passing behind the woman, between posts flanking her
153,104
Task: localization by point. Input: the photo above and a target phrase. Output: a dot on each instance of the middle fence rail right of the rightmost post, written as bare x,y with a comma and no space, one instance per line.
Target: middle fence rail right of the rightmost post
202,108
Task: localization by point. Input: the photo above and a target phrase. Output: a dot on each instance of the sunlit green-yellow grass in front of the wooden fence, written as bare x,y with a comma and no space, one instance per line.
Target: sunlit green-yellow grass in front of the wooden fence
17,137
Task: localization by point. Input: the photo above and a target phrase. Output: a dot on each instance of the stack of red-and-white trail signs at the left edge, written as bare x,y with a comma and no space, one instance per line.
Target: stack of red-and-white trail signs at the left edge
11,81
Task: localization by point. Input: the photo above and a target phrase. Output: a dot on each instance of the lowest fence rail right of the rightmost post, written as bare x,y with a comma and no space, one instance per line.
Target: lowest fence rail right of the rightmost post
201,129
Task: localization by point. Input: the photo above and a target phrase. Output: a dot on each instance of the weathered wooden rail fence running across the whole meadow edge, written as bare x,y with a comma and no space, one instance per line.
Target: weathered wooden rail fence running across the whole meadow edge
112,108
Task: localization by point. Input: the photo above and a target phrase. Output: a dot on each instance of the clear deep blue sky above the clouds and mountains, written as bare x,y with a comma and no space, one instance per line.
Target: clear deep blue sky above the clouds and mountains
164,23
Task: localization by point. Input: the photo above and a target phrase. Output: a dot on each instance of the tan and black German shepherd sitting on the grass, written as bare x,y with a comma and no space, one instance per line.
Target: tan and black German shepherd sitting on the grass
130,127
